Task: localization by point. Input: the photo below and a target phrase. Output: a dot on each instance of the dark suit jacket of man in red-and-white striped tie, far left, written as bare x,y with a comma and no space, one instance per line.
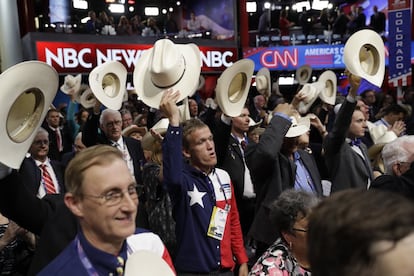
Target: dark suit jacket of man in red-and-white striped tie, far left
33,175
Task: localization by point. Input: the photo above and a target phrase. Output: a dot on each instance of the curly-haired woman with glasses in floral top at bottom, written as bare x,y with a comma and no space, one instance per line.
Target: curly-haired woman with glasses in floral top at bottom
288,254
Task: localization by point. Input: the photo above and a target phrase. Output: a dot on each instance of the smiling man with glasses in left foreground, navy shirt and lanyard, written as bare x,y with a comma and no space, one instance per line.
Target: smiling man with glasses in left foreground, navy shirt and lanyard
105,205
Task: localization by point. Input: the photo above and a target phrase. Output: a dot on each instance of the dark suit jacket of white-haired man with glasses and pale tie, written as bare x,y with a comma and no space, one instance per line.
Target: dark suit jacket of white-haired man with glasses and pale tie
91,136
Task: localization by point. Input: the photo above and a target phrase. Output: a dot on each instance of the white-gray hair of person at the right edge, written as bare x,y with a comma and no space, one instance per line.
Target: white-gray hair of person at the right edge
399,150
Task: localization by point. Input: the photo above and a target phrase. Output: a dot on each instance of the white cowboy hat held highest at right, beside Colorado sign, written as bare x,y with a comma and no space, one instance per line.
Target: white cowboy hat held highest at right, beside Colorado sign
364,56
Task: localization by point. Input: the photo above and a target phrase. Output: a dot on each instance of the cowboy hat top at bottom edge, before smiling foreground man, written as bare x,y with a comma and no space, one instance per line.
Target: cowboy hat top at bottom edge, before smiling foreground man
147,263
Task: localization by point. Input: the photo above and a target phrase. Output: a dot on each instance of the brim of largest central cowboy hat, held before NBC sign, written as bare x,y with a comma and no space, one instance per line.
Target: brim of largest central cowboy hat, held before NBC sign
150,93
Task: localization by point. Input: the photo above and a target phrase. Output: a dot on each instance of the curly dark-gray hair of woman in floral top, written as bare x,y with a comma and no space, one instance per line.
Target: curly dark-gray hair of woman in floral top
291,204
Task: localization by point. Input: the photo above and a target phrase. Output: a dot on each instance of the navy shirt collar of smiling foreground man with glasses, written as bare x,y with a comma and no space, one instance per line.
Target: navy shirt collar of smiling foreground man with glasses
103,262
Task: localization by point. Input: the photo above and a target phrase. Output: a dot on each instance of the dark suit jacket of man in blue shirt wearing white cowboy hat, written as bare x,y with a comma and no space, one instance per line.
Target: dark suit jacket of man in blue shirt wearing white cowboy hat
272,172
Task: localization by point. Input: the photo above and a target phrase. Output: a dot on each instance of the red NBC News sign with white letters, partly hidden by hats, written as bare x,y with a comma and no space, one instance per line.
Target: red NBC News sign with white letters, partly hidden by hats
68,57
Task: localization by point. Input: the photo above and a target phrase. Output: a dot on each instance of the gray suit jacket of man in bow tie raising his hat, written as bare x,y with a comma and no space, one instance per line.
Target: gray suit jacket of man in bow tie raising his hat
346,168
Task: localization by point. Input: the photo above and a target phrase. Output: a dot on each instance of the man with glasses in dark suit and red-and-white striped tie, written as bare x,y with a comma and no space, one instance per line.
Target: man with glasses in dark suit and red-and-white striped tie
41,174
